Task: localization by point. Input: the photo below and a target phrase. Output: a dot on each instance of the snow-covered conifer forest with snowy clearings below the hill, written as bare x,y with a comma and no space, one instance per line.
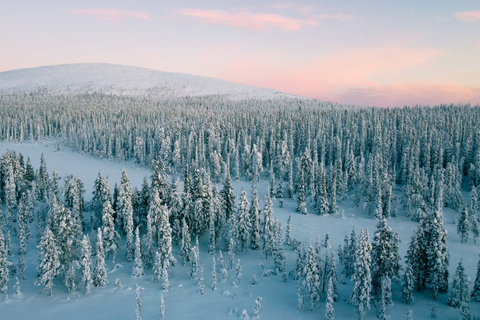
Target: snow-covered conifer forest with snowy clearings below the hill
250,208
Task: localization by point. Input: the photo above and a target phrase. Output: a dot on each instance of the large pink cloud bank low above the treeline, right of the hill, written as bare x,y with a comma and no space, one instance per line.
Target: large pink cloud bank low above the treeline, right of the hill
353,77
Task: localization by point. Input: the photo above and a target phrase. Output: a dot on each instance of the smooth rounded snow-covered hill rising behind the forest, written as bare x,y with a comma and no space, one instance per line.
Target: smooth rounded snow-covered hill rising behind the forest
119,79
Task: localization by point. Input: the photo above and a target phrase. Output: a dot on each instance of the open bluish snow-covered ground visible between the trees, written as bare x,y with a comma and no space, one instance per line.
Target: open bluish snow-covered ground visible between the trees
183,300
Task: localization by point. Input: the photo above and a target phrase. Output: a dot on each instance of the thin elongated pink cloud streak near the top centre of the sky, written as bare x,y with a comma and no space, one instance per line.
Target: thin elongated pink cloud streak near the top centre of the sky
248,20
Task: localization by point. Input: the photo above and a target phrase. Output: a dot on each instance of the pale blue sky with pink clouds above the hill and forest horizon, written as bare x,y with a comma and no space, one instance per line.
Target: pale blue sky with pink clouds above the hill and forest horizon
383,53
